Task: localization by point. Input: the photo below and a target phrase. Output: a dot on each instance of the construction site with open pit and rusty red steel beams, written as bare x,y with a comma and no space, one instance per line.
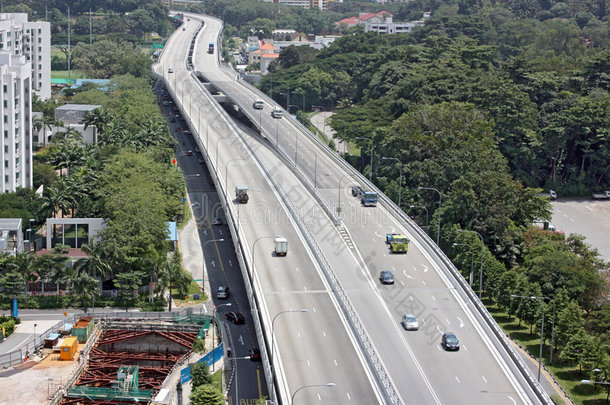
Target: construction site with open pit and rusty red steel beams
121,361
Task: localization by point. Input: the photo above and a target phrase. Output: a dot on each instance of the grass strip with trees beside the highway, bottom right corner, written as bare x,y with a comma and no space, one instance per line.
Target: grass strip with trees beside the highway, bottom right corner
568,377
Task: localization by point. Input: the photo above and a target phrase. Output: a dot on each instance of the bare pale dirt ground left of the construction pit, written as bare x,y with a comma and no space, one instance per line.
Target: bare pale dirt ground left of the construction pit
30,382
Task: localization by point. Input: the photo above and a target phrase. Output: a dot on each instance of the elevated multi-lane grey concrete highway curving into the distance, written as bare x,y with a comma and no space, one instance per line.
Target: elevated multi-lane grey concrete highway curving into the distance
351,334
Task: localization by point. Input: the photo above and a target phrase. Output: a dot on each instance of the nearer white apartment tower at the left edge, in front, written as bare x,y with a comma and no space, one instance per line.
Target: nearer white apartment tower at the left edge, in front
16,122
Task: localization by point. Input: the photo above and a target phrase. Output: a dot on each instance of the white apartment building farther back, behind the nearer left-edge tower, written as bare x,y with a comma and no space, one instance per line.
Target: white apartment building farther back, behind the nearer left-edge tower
32,39
